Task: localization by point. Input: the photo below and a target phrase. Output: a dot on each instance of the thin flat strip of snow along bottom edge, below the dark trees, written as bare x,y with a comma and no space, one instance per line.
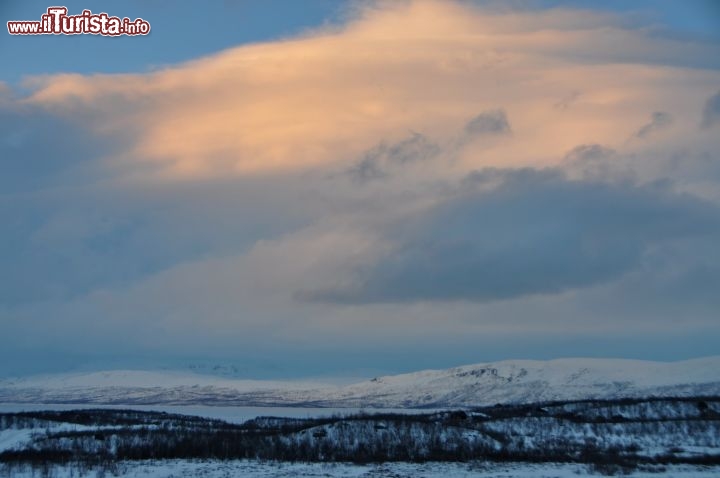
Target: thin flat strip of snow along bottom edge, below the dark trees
256,469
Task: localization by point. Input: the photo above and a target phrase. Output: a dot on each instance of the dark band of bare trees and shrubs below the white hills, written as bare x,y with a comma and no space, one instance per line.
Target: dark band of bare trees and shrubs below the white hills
612,435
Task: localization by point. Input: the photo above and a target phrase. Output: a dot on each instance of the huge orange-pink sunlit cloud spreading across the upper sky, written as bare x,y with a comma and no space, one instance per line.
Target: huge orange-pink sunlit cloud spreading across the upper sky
330,95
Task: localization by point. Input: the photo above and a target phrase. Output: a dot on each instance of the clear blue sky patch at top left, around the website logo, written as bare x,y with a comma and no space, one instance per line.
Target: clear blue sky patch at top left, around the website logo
181,31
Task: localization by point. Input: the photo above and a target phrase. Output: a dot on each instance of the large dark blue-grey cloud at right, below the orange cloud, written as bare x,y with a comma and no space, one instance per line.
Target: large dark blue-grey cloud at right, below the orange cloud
535,233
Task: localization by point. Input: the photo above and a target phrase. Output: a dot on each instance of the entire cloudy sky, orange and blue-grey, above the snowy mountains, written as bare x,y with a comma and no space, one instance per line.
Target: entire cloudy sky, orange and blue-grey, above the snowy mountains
327,188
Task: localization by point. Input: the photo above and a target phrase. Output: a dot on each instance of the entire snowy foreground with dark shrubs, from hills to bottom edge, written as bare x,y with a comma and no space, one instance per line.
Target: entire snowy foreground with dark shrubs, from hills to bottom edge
627,435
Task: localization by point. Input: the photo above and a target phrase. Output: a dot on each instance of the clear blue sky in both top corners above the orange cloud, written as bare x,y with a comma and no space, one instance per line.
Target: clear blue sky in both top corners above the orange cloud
183,30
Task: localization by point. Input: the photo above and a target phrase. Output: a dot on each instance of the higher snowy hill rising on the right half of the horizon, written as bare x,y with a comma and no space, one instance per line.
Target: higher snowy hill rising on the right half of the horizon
532,381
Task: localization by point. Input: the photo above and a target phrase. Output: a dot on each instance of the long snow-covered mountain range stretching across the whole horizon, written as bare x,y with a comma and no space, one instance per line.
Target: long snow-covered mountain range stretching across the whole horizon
515,381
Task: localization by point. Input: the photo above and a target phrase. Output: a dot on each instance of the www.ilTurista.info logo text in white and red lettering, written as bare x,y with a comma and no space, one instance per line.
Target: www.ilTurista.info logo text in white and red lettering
57,22
